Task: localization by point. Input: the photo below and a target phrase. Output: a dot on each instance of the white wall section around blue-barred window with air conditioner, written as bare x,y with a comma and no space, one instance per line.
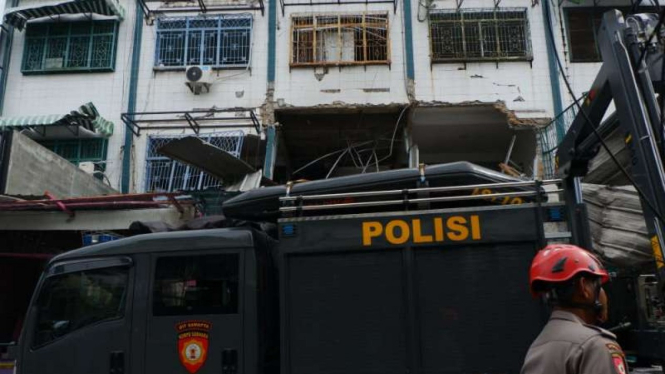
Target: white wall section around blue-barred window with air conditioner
160,90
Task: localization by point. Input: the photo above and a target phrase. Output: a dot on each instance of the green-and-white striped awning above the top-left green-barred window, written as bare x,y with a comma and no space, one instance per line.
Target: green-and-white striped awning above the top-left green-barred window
19,16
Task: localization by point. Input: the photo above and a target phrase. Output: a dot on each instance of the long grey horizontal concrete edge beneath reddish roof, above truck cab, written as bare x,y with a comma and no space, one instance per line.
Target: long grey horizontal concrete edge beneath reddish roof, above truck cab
92,220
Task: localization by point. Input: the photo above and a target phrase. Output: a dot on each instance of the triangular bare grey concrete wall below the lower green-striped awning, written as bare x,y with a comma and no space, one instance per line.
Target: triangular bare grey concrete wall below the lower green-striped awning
33,169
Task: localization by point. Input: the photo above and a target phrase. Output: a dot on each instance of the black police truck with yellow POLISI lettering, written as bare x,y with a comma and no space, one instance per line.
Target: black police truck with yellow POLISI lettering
422,288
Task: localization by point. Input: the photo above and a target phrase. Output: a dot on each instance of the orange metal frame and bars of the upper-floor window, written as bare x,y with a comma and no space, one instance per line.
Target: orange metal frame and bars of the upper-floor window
365,48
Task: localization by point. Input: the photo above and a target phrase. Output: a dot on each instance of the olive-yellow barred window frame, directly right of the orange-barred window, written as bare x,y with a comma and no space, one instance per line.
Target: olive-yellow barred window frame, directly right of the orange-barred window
461,23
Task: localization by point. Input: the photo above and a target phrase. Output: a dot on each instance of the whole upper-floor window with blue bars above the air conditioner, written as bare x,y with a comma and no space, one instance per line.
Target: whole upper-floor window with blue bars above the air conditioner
221,41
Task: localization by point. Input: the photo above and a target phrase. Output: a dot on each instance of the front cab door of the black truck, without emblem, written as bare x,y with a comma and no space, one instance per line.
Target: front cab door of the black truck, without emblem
80,321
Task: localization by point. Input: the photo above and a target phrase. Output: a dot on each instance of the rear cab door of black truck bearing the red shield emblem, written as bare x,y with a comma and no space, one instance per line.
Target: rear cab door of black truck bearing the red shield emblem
194,321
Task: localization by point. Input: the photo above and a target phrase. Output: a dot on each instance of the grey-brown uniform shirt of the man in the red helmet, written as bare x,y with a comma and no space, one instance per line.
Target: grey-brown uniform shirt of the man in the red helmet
569,346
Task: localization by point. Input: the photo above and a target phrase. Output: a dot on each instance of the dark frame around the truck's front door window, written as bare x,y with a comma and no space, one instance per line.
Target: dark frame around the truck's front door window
61,269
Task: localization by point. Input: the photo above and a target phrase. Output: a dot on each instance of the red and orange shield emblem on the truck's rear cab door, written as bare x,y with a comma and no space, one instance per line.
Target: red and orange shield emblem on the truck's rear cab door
193,343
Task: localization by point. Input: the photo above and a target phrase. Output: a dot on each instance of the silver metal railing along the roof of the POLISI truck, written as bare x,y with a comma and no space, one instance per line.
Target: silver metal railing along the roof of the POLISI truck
478,192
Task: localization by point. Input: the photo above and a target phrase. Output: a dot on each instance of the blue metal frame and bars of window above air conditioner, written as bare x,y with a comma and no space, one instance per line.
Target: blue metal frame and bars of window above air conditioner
218,30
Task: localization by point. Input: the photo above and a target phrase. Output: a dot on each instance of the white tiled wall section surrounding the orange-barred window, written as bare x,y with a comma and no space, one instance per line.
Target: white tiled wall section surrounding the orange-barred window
371,85
